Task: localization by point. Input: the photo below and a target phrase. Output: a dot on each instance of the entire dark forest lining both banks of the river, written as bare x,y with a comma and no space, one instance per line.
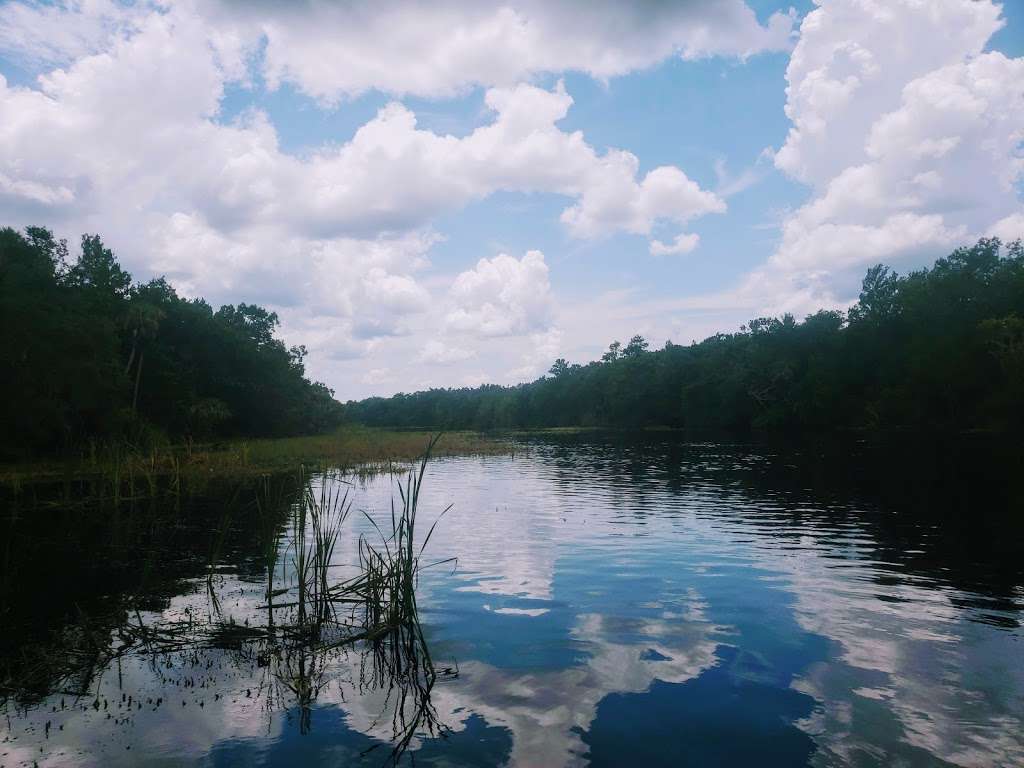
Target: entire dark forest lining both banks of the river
92,359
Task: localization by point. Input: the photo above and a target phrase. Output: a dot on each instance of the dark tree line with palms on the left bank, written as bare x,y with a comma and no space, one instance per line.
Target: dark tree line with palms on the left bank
89,358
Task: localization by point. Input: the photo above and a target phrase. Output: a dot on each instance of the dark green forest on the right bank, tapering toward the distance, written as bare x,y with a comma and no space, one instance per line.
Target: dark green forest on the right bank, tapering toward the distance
942,349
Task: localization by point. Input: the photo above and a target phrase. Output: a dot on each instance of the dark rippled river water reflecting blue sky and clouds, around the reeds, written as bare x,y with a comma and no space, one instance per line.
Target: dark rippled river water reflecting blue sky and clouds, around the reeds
620,602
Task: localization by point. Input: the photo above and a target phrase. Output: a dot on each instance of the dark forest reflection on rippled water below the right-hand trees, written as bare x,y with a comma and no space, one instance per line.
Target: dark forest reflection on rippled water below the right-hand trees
949,510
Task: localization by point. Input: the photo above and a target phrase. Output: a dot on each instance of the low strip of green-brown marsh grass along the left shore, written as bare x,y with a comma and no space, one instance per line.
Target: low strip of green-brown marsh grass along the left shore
348,448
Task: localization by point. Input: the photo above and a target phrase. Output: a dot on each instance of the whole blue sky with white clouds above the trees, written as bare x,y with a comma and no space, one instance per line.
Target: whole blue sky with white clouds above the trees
447,194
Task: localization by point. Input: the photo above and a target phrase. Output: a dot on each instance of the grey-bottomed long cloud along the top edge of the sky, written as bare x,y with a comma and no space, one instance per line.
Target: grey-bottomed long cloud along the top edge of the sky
331,51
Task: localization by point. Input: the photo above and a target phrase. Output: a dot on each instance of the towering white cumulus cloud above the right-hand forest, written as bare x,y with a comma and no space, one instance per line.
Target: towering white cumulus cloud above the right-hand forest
909,136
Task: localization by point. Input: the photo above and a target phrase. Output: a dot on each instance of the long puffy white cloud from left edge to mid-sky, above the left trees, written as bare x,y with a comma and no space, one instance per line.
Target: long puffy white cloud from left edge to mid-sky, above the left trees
173,159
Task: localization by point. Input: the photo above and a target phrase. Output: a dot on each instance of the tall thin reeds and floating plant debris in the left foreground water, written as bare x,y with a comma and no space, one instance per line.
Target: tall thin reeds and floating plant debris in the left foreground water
311,621
